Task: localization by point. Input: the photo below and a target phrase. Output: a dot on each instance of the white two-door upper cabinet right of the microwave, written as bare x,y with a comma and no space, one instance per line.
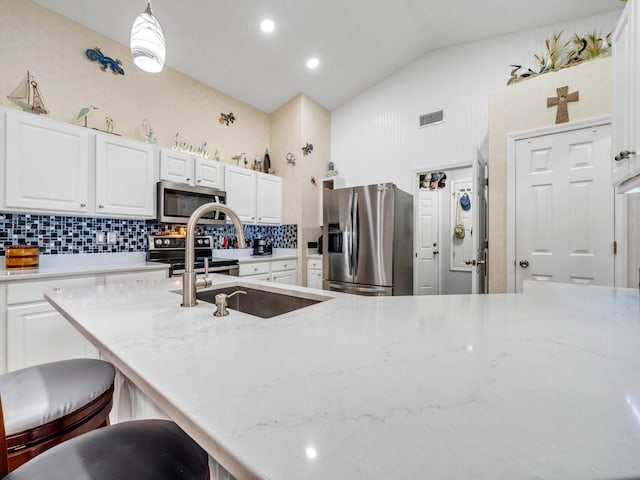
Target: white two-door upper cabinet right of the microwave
255,196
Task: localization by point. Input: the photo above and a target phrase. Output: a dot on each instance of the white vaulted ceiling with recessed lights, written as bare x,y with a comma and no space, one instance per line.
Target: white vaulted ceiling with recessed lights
358,42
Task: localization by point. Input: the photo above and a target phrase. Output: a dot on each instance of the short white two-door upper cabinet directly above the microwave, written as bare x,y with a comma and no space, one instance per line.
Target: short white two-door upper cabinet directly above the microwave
184,168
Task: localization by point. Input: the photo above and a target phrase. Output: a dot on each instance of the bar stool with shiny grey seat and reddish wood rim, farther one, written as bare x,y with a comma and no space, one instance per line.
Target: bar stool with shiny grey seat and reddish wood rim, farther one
47,404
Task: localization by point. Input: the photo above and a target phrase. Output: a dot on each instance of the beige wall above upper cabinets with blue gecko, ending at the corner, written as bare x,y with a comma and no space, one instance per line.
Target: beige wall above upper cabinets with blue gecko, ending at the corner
52,47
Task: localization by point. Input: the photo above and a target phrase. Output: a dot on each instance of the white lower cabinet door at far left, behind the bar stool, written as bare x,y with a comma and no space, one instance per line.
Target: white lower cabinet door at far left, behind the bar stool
36,333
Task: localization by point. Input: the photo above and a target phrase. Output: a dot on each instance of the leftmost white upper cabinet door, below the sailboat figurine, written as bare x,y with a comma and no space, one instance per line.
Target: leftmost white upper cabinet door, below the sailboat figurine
46,165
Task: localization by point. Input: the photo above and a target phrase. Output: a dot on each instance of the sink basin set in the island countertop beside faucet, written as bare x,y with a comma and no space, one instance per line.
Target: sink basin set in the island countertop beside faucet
261,303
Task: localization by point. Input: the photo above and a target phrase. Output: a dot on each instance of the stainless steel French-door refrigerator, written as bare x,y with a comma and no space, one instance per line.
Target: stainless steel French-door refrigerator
368,240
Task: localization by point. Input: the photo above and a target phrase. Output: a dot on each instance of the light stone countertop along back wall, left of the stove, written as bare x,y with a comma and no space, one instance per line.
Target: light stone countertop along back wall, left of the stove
80,264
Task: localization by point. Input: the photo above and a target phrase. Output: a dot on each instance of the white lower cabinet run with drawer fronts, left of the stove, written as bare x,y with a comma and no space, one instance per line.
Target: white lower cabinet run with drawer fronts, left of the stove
36,332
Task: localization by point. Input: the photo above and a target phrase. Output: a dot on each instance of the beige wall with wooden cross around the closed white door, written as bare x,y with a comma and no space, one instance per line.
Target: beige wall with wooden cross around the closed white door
522,107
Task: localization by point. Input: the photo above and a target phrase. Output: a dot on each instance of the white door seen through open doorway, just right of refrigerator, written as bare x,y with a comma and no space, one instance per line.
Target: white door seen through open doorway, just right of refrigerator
427,233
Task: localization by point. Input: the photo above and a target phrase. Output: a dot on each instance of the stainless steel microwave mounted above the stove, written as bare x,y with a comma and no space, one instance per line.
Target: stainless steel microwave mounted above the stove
176,202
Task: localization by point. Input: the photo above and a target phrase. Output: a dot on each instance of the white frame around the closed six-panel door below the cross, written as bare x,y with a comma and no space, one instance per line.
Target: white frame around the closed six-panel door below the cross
620,204
